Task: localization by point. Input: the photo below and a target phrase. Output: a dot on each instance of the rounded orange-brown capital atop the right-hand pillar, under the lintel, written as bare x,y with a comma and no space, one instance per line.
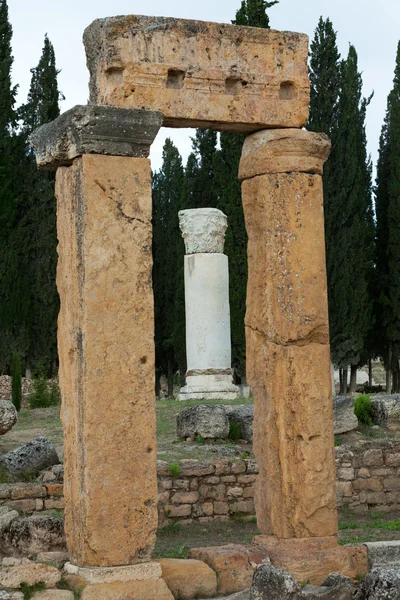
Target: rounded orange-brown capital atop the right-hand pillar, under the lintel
283,151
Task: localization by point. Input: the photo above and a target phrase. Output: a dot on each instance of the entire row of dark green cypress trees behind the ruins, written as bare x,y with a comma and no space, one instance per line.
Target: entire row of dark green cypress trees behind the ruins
361,217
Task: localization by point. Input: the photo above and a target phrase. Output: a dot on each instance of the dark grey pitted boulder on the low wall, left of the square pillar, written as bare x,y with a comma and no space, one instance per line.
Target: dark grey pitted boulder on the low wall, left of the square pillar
33,457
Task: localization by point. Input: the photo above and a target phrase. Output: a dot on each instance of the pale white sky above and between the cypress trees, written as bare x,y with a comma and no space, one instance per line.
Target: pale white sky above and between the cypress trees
373,28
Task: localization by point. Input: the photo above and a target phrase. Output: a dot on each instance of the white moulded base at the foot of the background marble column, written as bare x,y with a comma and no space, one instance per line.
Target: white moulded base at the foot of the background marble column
209,385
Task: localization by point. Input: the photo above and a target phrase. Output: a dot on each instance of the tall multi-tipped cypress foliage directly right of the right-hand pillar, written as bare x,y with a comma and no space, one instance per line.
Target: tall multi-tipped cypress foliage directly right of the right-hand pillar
338,109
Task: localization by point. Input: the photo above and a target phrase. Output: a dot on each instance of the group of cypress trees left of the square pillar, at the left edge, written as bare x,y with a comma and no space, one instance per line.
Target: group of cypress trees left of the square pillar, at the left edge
29,301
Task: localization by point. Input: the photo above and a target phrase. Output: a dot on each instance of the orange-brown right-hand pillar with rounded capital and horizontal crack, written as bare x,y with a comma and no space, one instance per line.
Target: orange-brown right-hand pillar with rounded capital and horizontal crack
287,334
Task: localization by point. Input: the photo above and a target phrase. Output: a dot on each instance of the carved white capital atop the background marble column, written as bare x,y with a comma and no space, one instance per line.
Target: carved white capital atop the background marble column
203,230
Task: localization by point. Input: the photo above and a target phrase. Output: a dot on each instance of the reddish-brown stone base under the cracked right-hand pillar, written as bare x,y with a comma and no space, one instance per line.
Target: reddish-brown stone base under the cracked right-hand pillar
312,559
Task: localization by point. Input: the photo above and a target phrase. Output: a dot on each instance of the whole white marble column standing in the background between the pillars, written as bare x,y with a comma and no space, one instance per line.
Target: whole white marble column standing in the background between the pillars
208,328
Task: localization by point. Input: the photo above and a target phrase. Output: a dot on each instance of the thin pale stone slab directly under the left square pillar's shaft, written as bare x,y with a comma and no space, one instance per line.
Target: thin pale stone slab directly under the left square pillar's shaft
100,575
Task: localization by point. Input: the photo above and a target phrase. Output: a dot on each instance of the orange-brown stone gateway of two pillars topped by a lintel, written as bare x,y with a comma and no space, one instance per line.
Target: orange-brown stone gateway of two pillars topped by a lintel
146,72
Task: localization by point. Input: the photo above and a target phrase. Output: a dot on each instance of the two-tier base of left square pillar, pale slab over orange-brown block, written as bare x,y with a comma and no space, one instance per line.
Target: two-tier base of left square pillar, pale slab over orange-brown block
142,581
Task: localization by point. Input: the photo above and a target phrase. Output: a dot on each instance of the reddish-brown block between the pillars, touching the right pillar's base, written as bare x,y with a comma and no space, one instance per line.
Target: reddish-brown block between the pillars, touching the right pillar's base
231,563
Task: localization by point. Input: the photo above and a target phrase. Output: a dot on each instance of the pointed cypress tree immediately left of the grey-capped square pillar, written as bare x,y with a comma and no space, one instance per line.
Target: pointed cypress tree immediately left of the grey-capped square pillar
36,228
